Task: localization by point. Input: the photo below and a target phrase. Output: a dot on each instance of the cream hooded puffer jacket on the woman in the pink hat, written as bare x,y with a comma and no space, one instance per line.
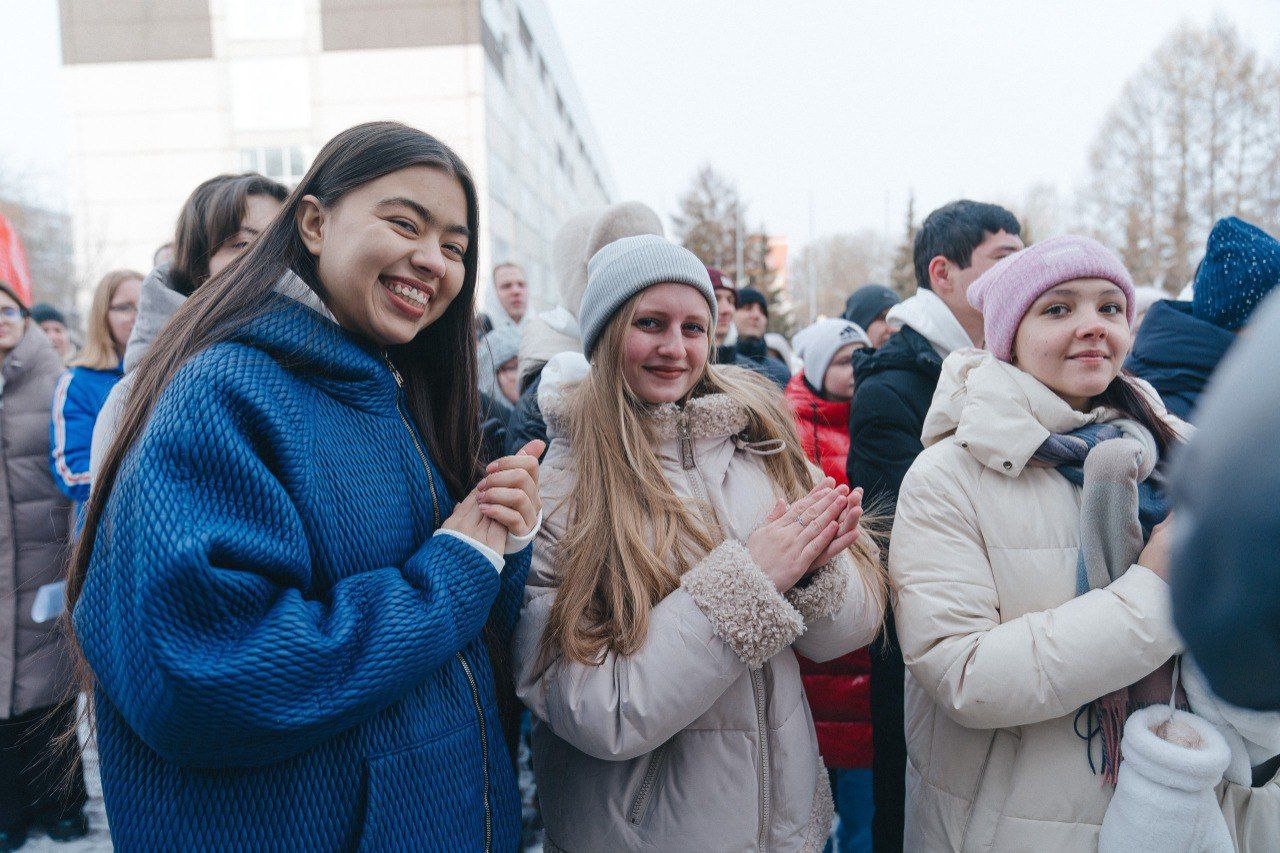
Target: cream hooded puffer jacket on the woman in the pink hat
1000,651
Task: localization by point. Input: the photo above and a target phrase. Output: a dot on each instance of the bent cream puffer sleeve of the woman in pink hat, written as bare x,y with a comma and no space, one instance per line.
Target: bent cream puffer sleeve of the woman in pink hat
986,673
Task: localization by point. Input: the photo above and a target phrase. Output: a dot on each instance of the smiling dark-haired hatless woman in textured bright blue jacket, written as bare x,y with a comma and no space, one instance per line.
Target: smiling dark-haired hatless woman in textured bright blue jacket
292,571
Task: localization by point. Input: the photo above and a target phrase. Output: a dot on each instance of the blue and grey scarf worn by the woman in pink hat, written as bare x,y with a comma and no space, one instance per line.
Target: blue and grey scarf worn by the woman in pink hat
1118,512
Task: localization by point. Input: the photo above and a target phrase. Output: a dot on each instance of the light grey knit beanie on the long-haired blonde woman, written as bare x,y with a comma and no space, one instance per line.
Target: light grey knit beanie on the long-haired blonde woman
627,267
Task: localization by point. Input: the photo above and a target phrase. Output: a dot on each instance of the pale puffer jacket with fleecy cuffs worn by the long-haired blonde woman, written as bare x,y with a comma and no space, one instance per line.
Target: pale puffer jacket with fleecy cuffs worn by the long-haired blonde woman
702,741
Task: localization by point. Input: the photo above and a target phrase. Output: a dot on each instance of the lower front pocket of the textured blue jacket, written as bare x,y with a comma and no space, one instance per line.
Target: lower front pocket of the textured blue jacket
427,797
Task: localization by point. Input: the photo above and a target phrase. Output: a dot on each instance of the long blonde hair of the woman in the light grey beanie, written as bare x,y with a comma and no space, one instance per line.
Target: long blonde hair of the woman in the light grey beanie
625,522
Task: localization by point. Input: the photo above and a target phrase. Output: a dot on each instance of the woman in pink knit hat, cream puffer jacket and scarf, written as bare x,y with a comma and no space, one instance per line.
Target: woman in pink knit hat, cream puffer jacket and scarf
1031,562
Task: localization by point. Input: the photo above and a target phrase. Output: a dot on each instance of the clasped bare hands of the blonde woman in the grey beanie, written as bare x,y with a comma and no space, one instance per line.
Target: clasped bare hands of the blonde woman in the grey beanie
797,540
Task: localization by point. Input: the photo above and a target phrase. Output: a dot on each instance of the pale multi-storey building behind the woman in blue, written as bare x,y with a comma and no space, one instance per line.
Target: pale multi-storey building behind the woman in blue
164,94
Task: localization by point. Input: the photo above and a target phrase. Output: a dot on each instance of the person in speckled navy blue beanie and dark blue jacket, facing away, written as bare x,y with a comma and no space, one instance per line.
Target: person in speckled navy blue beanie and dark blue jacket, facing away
1182,344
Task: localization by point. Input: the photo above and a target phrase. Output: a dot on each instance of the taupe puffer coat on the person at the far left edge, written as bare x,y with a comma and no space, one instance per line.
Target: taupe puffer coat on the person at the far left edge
35,531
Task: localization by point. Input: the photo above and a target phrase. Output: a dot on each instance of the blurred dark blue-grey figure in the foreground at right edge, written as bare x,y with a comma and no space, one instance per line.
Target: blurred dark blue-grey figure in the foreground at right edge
1227,523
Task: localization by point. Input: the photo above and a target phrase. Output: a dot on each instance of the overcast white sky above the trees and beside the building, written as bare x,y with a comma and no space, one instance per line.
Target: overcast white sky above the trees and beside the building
848,103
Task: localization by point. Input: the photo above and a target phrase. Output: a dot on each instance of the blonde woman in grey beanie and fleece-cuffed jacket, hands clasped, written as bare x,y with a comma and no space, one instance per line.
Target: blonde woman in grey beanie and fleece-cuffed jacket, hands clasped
688,553
